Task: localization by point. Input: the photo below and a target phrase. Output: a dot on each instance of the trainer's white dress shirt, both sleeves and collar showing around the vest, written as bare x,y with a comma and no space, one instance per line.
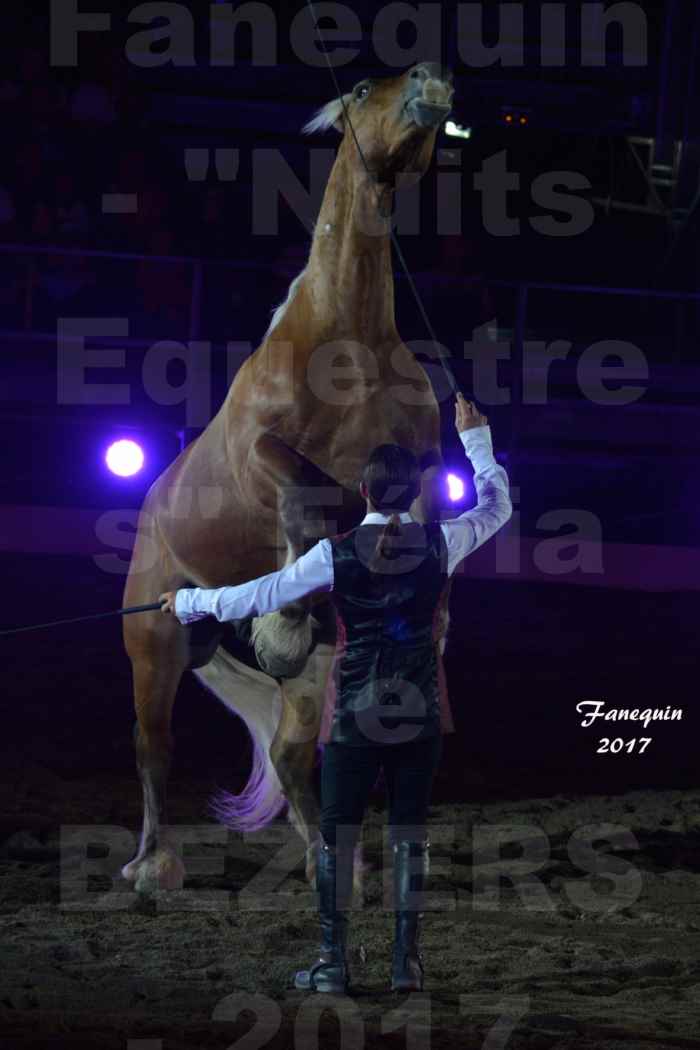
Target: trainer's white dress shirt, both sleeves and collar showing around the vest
314,571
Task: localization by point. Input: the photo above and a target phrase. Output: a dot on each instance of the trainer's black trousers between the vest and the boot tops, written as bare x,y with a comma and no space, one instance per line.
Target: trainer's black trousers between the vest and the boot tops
349,774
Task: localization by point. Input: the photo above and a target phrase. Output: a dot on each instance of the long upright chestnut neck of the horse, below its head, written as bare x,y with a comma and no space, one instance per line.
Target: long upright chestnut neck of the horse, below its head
349,276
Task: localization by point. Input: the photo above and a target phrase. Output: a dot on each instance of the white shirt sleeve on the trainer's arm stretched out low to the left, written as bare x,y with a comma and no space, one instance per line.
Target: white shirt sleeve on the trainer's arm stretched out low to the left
311,573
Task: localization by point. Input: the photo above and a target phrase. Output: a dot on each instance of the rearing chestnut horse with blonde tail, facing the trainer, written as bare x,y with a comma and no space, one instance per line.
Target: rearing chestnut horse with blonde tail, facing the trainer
291,432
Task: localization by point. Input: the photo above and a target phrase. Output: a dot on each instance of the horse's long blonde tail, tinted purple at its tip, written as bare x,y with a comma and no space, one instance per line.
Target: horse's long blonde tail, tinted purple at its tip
257,699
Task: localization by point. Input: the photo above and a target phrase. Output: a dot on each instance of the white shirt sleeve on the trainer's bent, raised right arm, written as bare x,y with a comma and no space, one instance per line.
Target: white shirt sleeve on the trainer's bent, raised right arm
494,509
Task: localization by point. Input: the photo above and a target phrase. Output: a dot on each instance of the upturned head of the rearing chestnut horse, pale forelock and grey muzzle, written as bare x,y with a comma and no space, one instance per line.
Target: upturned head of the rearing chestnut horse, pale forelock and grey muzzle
395,119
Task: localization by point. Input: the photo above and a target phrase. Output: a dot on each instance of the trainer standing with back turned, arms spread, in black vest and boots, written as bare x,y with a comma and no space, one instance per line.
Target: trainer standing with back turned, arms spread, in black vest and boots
387,579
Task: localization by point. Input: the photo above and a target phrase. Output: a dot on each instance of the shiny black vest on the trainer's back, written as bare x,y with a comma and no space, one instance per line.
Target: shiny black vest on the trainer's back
387,671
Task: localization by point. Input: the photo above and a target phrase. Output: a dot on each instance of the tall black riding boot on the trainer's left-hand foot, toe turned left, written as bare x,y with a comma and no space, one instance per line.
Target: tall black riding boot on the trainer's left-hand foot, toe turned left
330,973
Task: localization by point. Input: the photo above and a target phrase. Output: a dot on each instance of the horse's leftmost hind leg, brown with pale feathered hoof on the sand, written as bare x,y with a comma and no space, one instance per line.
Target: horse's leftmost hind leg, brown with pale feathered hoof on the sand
157,865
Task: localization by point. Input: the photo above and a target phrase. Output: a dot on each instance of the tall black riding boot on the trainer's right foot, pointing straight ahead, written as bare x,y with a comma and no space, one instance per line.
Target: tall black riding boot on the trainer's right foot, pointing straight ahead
411,869
